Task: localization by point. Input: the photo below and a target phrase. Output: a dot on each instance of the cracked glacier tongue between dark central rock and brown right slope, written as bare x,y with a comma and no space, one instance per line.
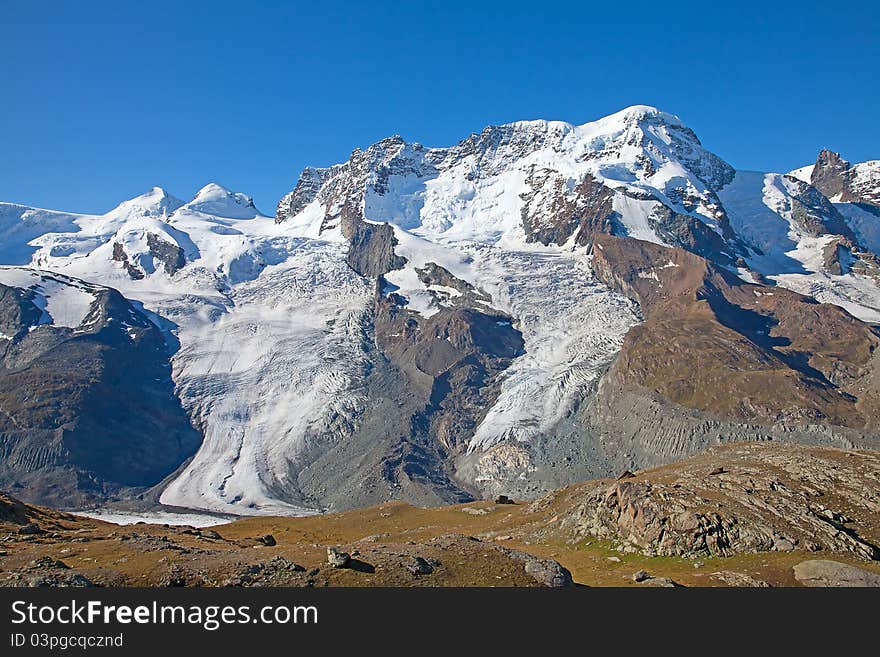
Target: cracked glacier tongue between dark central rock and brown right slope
572,326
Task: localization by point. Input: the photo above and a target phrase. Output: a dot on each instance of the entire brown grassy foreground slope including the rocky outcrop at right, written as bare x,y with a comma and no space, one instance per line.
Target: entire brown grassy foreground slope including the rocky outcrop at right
737,515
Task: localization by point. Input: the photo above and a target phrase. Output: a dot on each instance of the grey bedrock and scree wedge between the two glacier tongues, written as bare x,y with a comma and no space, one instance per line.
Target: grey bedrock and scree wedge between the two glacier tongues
429,382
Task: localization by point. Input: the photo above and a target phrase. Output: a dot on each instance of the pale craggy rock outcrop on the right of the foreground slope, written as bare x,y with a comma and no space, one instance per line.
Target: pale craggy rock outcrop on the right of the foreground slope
734,499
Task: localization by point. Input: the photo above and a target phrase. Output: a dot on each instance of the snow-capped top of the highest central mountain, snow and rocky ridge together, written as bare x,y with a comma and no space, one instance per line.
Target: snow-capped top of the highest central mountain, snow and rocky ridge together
514,183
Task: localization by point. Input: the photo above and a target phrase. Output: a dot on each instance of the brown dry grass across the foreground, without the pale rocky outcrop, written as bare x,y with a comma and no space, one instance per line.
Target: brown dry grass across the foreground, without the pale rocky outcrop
380,534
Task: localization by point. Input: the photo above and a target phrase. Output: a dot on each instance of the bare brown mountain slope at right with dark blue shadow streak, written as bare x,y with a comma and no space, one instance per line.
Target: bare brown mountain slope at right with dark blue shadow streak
714,343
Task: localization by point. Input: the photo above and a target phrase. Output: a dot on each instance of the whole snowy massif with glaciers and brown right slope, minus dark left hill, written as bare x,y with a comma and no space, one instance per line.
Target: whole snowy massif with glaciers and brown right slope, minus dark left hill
435,324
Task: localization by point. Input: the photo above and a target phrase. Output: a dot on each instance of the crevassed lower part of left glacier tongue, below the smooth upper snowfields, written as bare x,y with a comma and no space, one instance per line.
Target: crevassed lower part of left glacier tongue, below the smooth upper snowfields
272,370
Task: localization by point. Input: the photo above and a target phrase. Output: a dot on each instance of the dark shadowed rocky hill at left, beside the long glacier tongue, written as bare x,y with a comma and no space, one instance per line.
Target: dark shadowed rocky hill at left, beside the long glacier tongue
87,412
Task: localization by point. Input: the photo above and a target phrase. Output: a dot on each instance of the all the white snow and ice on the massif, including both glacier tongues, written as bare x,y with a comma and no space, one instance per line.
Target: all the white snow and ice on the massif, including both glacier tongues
270,329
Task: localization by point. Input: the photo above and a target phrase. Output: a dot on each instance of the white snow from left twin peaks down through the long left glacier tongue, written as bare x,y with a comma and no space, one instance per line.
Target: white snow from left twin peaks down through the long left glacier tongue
269,323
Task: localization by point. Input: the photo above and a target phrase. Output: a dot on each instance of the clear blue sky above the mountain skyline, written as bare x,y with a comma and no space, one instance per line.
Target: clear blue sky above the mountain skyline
99,101
